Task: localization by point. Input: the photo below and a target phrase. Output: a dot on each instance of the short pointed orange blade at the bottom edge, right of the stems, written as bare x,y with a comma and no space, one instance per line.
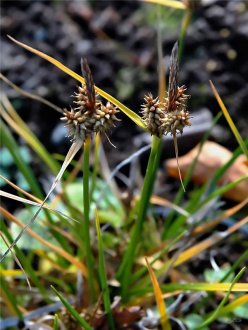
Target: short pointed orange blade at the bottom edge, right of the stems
164,319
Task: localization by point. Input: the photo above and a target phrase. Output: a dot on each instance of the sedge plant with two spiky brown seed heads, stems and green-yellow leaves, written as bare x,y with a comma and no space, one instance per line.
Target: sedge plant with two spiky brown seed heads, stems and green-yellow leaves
90,116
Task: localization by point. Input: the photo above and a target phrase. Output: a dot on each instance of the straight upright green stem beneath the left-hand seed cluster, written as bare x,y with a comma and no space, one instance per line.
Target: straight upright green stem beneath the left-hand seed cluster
86,222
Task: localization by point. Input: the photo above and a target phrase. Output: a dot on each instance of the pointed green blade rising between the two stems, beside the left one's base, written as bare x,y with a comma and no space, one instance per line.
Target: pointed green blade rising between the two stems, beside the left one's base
103,276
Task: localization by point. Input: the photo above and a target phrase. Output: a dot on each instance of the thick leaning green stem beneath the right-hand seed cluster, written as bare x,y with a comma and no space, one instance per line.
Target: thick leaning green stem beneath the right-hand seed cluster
124,272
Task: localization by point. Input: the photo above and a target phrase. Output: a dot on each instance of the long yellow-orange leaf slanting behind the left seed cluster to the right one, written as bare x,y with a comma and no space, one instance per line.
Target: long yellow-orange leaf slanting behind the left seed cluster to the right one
132,115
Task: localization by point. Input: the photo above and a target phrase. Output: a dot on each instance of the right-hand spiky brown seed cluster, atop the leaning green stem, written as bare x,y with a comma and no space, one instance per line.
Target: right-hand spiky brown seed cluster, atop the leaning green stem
166,117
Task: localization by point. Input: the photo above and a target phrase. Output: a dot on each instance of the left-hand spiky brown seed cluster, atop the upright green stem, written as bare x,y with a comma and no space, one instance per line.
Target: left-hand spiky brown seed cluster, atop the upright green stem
87,118
